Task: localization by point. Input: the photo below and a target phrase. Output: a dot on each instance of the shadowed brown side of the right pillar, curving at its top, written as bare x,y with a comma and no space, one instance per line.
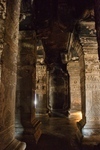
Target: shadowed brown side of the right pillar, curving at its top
78,48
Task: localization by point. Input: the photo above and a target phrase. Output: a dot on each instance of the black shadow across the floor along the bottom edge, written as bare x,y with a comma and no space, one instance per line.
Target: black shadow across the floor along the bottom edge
52,142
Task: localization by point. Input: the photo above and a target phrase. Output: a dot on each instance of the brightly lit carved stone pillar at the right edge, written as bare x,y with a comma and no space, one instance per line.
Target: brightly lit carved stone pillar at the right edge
92,77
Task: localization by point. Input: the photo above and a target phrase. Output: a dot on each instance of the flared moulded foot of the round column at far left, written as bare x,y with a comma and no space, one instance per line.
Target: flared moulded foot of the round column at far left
16,145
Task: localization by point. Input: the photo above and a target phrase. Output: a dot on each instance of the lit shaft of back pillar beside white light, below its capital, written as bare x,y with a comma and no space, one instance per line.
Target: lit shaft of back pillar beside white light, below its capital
41,89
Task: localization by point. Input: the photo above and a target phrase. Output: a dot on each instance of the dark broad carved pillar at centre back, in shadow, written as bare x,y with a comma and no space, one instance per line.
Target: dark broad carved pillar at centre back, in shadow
59,101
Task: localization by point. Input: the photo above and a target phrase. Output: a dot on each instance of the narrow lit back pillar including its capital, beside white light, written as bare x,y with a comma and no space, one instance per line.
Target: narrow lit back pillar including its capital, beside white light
41,81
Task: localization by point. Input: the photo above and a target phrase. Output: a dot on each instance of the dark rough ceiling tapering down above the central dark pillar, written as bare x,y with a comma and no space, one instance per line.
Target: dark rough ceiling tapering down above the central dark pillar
53,20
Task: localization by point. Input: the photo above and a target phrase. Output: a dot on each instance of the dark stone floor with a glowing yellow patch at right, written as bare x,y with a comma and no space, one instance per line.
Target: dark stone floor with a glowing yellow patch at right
62,134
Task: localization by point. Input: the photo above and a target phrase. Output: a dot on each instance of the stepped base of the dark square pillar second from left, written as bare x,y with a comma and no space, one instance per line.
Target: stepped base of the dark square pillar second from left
29,134
